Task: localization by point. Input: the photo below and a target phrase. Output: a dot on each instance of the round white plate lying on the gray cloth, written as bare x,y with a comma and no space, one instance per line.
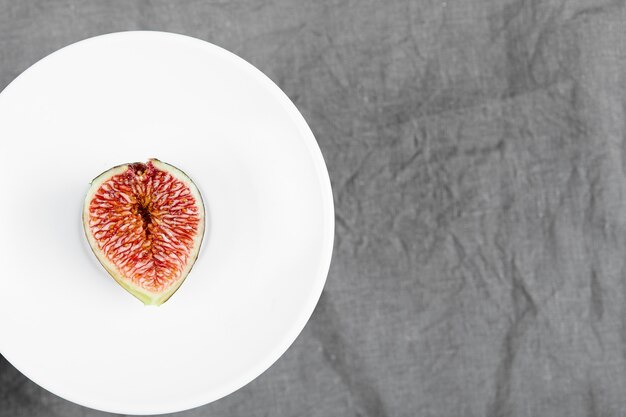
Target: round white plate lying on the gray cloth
127,97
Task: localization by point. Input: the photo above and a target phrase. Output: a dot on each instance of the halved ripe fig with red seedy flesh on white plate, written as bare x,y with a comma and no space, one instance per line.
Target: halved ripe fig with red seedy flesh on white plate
145,223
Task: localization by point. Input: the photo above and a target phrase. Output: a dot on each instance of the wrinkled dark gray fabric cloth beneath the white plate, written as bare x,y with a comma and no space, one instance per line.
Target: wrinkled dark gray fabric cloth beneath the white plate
477,154
